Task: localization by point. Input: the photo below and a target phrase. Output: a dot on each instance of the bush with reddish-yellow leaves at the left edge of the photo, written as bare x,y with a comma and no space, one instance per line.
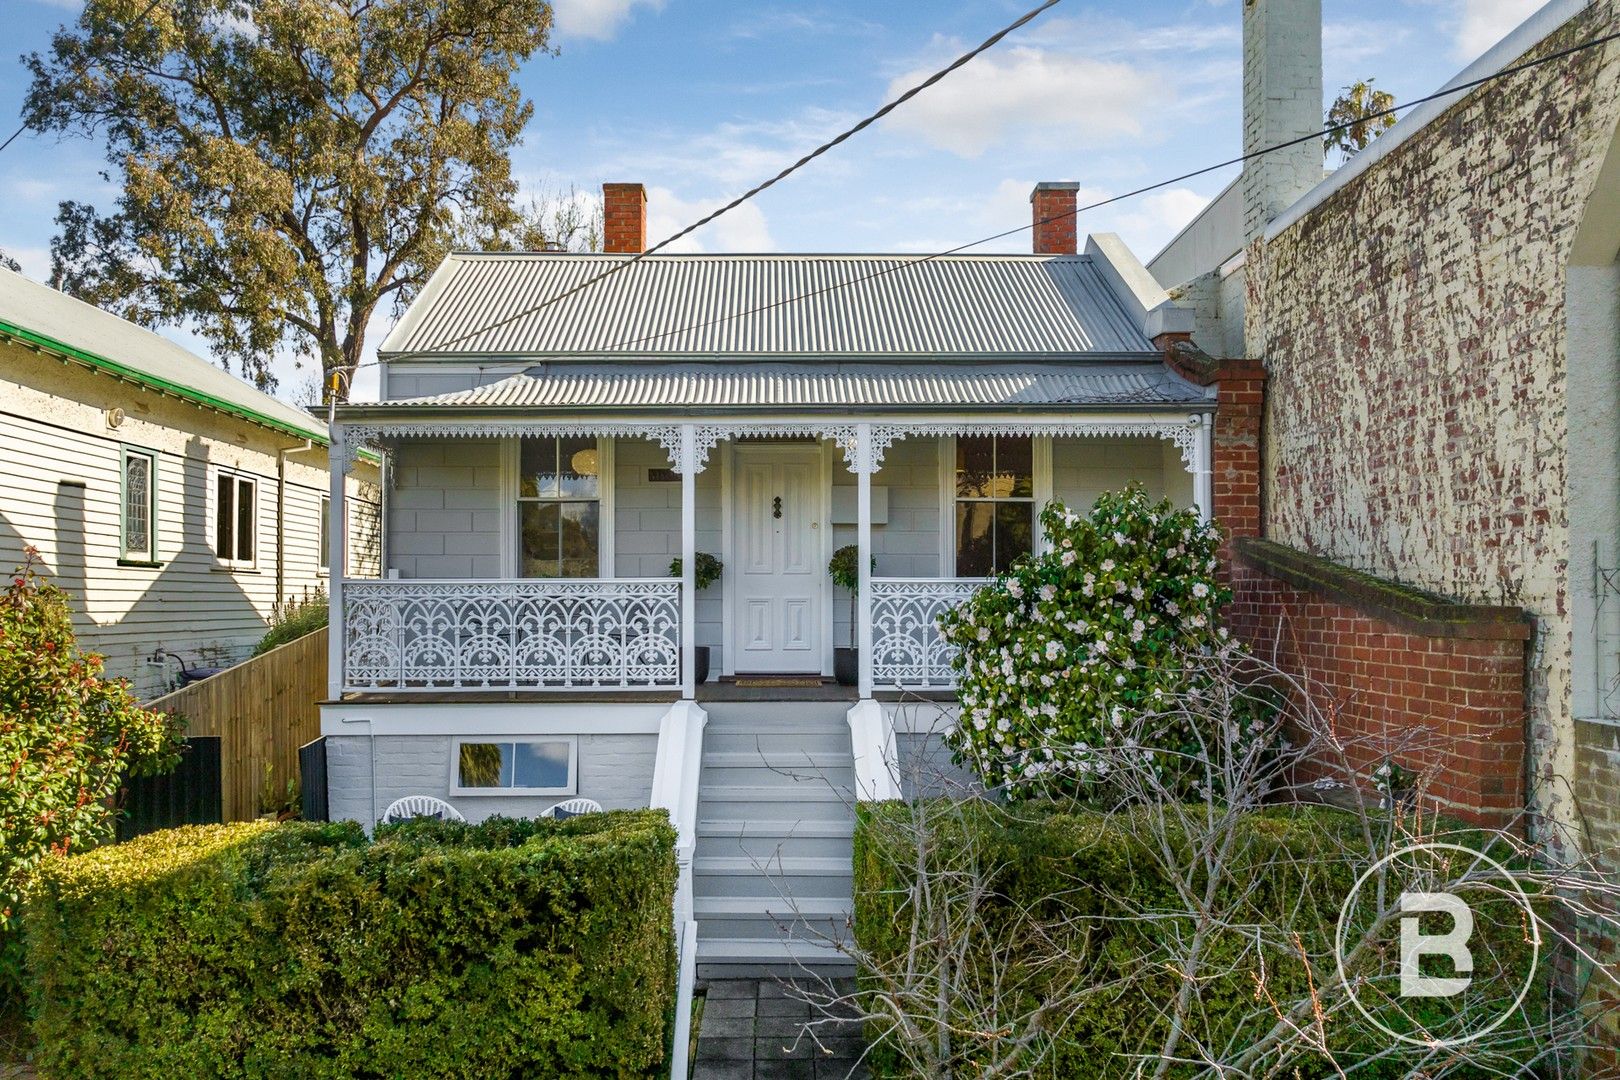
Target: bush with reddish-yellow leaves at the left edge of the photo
67,739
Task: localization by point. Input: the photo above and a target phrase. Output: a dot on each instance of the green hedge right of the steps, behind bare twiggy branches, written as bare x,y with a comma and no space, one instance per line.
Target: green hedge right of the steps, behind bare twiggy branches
1047,904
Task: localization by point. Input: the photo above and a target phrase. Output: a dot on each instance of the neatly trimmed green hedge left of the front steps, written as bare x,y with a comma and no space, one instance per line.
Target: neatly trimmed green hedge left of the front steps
301,950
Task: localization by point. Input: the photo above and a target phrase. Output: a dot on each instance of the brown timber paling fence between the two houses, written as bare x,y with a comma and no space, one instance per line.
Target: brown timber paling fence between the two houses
262,712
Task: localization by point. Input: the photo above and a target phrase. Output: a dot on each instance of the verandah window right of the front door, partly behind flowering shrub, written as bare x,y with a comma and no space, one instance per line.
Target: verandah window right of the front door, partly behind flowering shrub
995,503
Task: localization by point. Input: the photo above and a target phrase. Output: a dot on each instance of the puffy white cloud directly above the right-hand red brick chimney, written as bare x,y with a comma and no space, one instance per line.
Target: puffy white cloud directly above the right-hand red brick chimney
1028,93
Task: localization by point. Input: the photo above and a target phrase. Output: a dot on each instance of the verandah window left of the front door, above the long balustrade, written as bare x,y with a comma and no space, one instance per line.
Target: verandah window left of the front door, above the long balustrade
560,508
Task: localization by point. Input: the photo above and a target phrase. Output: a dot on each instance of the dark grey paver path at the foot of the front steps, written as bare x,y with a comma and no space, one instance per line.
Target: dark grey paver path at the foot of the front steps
754,1031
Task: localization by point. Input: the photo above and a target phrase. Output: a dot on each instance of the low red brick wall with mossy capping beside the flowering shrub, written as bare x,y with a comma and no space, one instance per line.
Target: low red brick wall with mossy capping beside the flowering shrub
1381,678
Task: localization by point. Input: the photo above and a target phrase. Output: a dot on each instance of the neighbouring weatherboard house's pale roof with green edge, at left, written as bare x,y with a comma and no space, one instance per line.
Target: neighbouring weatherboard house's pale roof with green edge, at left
43,318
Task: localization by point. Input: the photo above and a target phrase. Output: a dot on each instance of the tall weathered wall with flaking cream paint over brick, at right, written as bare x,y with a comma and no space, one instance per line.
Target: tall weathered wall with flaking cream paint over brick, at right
1415,333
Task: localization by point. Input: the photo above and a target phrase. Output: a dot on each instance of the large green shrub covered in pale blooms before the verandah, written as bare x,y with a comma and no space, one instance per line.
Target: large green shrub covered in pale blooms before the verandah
1070,645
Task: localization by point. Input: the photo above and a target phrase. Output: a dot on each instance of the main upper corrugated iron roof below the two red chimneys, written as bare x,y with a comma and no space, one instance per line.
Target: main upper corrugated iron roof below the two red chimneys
798,305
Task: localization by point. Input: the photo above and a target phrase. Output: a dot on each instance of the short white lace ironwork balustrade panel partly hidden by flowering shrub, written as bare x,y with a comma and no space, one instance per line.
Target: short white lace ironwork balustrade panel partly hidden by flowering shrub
908,650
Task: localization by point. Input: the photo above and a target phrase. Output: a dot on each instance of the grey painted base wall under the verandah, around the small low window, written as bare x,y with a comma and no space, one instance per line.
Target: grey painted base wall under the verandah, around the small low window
613,770
